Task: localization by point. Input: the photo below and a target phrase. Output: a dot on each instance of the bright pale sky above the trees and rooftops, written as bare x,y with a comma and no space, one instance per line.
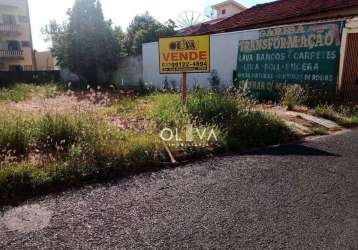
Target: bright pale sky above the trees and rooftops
120,11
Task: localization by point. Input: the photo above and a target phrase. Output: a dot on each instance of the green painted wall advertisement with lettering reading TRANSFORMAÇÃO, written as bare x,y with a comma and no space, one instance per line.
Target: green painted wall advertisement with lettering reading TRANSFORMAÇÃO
297,54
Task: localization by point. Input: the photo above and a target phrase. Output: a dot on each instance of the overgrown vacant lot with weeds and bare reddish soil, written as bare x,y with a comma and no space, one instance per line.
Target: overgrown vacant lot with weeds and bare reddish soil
51,137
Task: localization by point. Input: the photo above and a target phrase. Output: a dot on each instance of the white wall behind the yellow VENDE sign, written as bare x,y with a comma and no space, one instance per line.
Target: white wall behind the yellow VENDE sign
223,50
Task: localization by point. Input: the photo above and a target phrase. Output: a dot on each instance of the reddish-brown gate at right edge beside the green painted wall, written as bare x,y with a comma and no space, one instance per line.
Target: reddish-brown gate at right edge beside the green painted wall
349,87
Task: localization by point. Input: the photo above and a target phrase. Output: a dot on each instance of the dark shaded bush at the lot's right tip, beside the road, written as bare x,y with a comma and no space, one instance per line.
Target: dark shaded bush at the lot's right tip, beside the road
254,129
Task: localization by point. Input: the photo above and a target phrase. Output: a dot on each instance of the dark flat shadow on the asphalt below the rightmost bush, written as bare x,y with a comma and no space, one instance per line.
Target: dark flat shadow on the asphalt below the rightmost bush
293,150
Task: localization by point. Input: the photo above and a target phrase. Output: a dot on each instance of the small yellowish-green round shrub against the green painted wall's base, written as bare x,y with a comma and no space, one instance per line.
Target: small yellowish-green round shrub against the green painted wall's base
293,95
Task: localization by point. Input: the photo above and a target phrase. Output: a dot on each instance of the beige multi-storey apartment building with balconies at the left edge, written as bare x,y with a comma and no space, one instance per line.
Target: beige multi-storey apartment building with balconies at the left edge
16,51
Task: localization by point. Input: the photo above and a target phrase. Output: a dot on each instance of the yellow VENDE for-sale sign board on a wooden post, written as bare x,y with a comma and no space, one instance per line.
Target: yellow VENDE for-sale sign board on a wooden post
187,54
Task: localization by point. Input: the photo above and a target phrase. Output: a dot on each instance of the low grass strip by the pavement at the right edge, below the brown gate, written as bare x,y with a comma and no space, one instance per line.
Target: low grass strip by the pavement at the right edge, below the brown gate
342,117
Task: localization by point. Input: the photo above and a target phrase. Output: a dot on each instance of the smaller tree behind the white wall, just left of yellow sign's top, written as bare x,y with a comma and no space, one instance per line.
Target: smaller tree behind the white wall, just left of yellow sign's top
145,28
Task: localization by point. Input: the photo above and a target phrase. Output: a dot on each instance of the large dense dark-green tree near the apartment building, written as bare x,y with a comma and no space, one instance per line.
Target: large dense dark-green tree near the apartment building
86,45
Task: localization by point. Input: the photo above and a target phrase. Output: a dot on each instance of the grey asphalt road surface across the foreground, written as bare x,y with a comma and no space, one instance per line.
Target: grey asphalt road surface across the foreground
292,197
